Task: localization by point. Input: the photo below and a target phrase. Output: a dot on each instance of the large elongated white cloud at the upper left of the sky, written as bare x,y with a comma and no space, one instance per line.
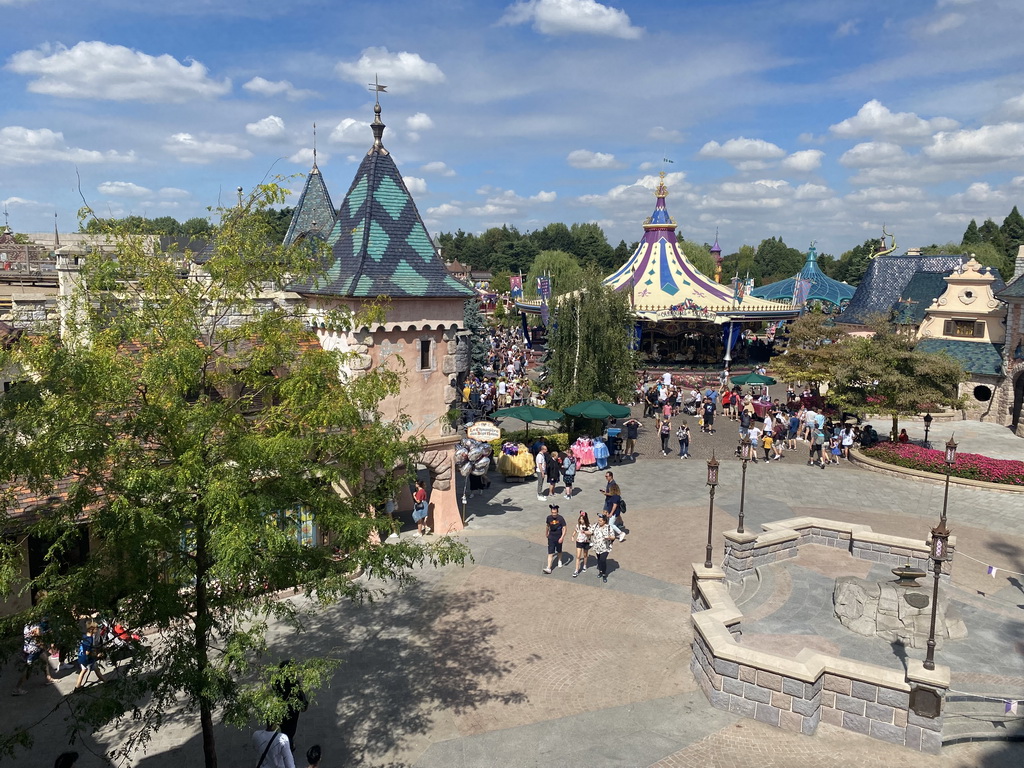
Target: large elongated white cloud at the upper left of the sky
100,71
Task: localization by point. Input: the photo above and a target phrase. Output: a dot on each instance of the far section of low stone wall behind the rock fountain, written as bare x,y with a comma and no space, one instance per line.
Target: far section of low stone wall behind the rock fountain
780,541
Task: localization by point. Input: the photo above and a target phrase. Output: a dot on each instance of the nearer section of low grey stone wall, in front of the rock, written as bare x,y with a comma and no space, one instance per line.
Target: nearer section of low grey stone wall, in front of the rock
797,694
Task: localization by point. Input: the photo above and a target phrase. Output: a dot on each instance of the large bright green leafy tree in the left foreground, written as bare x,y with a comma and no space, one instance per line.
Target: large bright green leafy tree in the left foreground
196,431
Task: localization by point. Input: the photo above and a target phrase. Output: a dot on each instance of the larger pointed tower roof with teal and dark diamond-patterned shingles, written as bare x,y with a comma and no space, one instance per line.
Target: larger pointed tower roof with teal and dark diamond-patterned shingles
379,246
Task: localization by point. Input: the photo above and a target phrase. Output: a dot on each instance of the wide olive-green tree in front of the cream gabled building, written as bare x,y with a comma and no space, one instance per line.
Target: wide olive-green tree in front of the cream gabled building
884,374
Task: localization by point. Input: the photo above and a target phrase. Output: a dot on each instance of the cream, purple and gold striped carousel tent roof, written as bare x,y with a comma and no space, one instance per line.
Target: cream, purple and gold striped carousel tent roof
664,284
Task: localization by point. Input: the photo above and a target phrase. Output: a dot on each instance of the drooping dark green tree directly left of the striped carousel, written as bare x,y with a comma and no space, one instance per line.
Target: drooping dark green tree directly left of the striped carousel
590,344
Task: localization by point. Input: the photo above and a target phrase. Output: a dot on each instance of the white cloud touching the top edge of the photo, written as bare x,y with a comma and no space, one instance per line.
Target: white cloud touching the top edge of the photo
572,18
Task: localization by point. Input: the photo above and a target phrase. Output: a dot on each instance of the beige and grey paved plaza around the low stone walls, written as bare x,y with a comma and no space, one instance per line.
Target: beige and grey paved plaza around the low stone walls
497,664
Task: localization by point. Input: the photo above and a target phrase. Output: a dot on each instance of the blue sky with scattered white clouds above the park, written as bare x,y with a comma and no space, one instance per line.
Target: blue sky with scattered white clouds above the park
813,120
